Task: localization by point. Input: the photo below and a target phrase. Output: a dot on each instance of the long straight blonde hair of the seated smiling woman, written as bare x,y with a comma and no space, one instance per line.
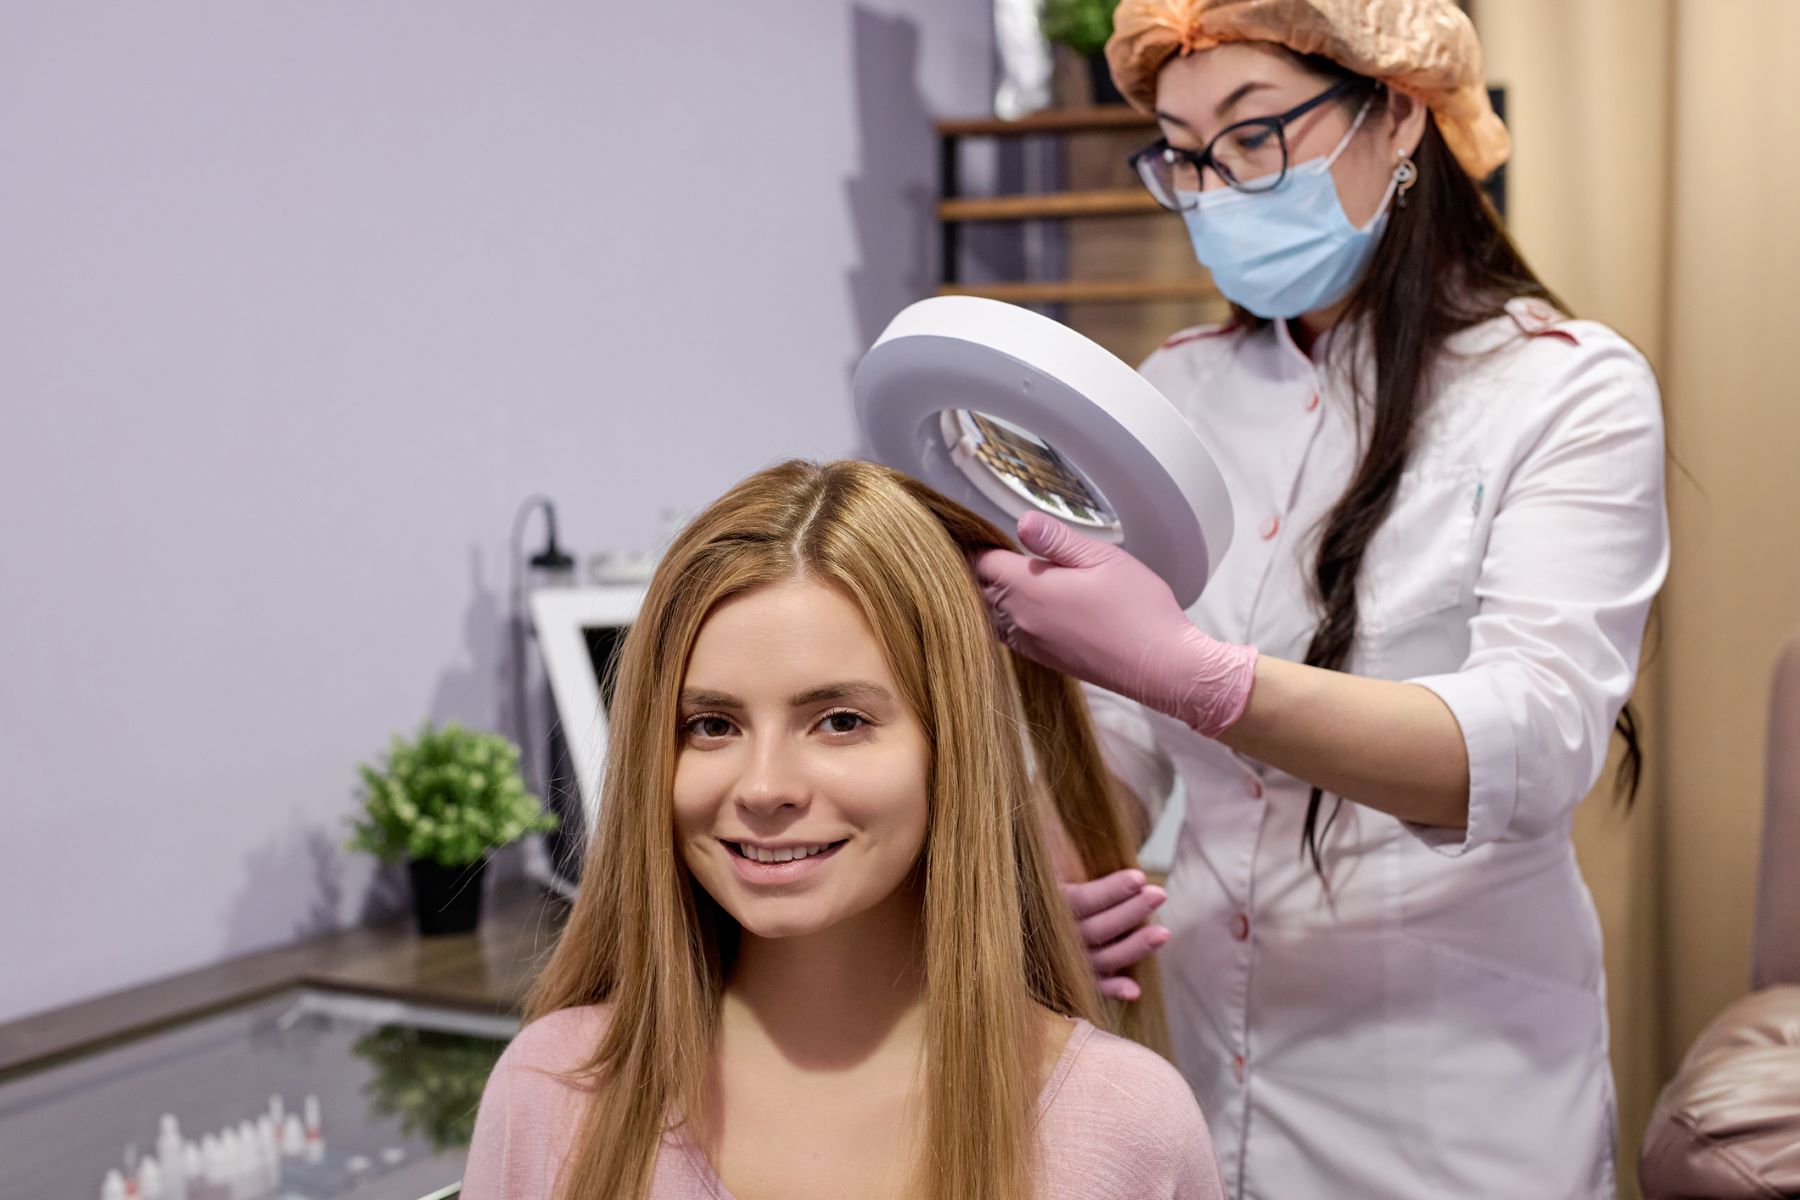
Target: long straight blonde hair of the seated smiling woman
998,936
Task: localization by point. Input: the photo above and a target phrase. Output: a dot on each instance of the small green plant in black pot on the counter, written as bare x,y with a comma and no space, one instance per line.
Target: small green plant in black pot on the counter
442,803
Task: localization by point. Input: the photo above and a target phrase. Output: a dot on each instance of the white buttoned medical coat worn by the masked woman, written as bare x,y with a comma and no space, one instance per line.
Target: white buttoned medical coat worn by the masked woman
1435,1028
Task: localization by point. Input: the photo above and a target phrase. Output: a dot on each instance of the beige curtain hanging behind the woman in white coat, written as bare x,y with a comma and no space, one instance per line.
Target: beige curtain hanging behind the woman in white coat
1655,174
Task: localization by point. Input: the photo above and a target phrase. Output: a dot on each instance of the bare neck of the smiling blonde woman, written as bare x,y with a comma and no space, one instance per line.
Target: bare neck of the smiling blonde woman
836,998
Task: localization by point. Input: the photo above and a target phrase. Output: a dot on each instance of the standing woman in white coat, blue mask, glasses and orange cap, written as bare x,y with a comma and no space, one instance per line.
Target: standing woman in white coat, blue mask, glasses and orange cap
1383,969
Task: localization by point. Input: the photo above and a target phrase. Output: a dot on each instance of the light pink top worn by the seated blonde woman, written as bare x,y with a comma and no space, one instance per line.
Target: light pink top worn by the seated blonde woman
1115,1122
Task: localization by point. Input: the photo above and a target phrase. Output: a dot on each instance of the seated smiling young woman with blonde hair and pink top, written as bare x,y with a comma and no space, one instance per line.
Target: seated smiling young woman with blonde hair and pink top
820,949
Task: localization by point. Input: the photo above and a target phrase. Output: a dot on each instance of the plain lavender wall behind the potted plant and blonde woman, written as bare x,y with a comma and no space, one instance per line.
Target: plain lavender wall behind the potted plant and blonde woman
298,301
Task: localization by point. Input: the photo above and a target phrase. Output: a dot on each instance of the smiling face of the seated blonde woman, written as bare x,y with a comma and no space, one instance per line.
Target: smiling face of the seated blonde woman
802,773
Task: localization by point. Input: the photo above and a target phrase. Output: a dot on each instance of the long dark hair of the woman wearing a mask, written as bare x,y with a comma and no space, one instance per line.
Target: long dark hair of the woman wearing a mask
1444,264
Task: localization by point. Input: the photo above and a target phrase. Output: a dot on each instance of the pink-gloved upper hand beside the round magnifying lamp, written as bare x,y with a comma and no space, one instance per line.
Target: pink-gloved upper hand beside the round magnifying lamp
1095,613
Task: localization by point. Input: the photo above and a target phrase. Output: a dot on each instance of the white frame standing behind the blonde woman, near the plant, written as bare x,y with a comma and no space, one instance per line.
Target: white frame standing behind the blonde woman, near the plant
561,620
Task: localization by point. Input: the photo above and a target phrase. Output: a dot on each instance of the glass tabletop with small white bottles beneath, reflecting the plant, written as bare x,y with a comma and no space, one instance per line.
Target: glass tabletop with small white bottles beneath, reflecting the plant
310,1095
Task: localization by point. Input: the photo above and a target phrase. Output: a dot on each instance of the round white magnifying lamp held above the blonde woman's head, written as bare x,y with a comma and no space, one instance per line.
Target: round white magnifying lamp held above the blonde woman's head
1007,411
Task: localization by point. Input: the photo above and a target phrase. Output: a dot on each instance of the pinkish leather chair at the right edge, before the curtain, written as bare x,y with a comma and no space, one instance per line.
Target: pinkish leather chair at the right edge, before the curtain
1729,1125
